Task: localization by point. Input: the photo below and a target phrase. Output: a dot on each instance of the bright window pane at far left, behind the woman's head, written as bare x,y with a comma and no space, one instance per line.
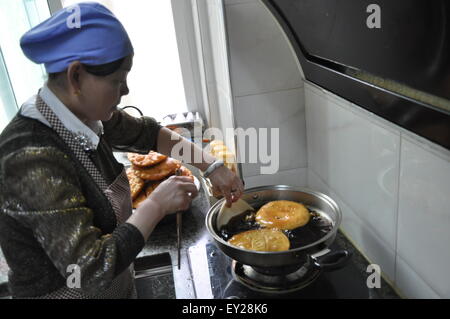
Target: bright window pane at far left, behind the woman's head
19,78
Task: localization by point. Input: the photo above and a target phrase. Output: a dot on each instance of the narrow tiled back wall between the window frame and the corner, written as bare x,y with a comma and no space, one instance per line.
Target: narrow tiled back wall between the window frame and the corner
267,90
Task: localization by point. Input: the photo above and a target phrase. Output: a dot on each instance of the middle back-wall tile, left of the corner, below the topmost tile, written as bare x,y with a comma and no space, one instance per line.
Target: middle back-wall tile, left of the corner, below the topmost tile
283,110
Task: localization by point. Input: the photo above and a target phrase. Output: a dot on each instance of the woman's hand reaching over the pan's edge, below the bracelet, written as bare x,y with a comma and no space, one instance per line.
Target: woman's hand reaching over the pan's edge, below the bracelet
227,183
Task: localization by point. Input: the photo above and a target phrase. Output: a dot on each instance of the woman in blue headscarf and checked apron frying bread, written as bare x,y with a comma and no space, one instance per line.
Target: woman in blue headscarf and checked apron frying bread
64,198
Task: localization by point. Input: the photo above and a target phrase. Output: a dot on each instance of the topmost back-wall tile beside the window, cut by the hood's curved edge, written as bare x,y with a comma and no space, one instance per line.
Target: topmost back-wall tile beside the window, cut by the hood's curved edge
261,60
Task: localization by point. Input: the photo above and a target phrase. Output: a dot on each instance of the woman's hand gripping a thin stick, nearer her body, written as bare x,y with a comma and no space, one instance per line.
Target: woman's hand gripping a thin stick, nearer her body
174,194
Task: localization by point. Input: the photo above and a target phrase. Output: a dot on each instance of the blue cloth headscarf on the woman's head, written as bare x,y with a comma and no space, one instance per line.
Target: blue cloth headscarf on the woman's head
86,32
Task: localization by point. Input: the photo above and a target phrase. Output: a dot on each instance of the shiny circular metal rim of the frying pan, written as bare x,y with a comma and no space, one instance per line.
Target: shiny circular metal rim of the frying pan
213,210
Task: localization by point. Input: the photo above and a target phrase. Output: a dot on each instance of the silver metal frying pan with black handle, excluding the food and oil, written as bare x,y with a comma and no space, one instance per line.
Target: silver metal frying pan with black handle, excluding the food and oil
285,260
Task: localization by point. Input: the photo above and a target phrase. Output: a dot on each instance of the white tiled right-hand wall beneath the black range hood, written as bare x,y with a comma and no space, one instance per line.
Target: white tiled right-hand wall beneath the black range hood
392,186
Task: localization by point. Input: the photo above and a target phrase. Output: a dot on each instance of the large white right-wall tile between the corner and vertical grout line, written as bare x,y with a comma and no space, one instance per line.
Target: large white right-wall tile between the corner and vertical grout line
356,158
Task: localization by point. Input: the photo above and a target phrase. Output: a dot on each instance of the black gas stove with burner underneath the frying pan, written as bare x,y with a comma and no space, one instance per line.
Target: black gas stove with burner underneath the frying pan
217,276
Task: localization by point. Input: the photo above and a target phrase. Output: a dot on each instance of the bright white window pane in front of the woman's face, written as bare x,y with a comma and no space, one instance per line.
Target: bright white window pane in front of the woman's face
155,82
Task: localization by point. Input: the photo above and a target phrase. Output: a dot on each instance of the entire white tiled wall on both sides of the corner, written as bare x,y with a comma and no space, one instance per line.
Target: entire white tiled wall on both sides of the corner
392,186
